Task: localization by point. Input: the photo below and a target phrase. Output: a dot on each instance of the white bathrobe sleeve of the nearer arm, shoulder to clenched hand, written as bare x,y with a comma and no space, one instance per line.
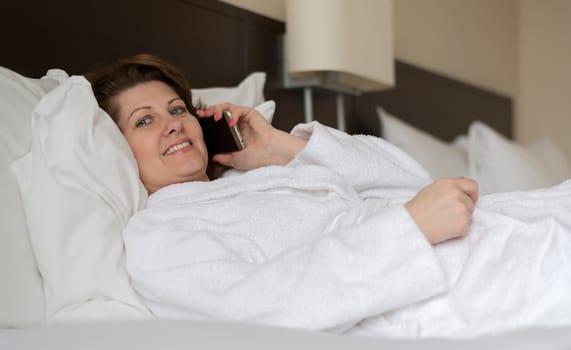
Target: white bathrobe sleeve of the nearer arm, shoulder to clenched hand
330,283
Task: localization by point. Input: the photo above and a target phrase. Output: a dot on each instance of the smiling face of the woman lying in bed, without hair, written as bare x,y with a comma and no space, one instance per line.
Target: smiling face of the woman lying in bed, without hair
165,138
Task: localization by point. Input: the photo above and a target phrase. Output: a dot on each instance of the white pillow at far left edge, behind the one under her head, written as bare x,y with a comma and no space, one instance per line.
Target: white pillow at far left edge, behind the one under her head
21,294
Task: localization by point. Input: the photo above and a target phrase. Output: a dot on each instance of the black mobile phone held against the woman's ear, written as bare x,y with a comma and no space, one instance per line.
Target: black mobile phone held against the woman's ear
219,136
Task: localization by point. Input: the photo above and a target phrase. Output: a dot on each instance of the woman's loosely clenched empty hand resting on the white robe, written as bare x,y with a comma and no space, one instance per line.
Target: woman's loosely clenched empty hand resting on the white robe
443,209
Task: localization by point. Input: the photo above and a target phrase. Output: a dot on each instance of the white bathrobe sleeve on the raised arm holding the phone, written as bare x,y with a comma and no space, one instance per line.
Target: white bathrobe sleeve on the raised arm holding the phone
374,167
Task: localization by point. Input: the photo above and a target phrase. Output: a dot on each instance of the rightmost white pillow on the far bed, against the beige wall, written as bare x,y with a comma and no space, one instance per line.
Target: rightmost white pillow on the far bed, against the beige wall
500,165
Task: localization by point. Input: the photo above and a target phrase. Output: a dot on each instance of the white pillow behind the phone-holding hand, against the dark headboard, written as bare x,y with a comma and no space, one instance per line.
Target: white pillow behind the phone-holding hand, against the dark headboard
249,93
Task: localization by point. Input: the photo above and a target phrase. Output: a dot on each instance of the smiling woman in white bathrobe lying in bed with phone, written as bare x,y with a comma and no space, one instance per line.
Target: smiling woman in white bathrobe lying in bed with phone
323,230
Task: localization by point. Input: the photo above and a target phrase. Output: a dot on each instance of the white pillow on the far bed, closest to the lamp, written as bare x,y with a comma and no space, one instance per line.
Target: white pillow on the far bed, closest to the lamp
439,158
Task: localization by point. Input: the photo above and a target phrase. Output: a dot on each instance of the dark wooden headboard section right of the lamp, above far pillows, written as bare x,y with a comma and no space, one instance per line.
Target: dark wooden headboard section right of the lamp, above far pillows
444,107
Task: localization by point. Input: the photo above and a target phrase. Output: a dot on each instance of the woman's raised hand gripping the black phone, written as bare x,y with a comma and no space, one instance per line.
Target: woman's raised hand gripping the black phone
265,145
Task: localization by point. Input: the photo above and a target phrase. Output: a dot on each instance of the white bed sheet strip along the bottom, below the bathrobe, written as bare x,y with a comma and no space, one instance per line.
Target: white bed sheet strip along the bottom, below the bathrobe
171,335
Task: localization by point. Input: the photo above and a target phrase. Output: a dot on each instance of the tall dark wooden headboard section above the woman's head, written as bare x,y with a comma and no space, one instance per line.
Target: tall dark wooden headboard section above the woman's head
214,43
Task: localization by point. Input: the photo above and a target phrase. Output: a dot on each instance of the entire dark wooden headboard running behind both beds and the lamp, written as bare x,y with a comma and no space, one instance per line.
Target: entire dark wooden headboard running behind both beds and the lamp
217,44
